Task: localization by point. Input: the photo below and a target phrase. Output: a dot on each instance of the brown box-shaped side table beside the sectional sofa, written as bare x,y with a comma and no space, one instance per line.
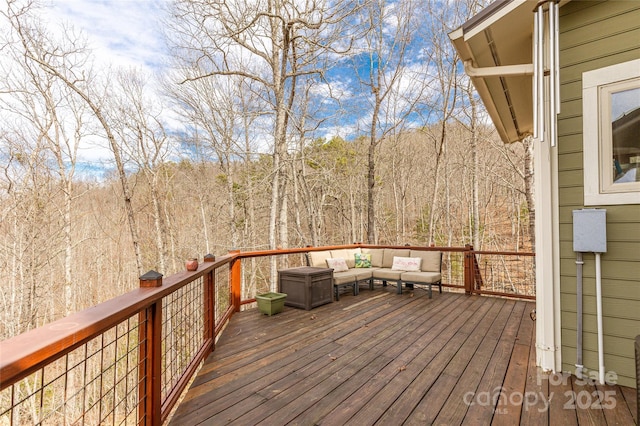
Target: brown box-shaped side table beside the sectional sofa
306,287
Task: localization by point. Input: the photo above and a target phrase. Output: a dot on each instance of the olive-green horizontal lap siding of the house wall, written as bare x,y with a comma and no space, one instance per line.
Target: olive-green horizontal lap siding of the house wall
594,35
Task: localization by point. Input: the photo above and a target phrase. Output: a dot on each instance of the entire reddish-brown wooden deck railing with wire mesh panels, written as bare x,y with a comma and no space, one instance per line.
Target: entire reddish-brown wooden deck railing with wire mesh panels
129,359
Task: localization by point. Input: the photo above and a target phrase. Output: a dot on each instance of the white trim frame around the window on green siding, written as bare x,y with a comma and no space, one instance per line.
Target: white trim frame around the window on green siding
592,133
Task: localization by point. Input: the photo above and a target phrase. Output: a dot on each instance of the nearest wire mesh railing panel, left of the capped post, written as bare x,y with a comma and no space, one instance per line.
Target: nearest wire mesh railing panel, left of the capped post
96,383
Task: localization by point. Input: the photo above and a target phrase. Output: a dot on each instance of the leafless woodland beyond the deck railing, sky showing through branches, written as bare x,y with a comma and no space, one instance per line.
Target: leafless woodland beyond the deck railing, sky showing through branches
284,125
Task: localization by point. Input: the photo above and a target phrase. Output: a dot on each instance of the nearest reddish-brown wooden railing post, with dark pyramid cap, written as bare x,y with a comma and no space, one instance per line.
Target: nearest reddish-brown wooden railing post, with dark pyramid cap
150,357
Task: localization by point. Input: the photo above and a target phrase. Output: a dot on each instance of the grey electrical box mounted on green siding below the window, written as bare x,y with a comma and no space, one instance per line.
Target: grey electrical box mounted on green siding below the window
590,230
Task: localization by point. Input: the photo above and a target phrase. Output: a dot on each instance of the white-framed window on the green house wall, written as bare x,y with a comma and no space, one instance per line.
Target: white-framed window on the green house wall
611,134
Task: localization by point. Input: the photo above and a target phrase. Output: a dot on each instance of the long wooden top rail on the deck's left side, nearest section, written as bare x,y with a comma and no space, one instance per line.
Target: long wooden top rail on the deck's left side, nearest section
27,352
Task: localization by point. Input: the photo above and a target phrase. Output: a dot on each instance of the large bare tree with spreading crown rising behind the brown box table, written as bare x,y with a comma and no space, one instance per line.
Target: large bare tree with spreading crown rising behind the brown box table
271,43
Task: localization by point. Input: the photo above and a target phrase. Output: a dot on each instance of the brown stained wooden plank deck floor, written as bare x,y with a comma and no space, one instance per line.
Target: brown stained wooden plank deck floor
387,359
